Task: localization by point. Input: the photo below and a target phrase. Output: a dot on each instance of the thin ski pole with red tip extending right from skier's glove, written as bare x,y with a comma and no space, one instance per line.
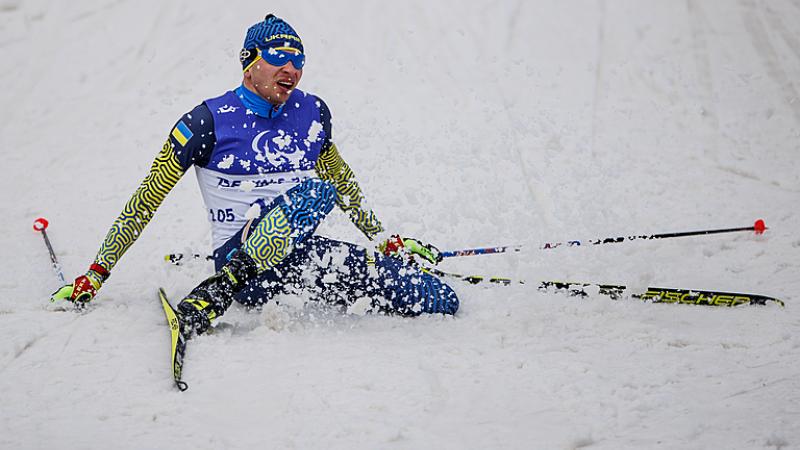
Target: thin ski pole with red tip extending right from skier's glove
758,227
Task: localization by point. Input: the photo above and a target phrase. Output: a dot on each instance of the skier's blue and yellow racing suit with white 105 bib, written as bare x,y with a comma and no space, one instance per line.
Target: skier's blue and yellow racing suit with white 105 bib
252,159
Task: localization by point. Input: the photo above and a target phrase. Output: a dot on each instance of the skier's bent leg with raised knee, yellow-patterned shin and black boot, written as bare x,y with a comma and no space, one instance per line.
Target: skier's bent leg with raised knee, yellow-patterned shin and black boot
287,221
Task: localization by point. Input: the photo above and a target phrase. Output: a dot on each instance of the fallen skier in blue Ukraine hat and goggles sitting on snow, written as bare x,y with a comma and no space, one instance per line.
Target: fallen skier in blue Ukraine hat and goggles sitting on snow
269,173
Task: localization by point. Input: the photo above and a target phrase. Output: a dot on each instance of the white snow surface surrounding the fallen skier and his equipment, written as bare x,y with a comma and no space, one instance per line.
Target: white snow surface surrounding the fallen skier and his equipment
468,123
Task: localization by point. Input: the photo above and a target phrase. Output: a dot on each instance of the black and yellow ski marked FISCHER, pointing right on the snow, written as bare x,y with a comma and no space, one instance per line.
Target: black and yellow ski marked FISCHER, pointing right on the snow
615,292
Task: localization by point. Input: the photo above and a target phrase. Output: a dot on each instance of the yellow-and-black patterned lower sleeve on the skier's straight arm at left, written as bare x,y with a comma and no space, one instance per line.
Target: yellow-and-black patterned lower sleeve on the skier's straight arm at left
164,174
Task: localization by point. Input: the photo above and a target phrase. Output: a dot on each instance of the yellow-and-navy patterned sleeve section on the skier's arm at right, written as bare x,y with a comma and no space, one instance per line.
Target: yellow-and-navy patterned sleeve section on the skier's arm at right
332,168
